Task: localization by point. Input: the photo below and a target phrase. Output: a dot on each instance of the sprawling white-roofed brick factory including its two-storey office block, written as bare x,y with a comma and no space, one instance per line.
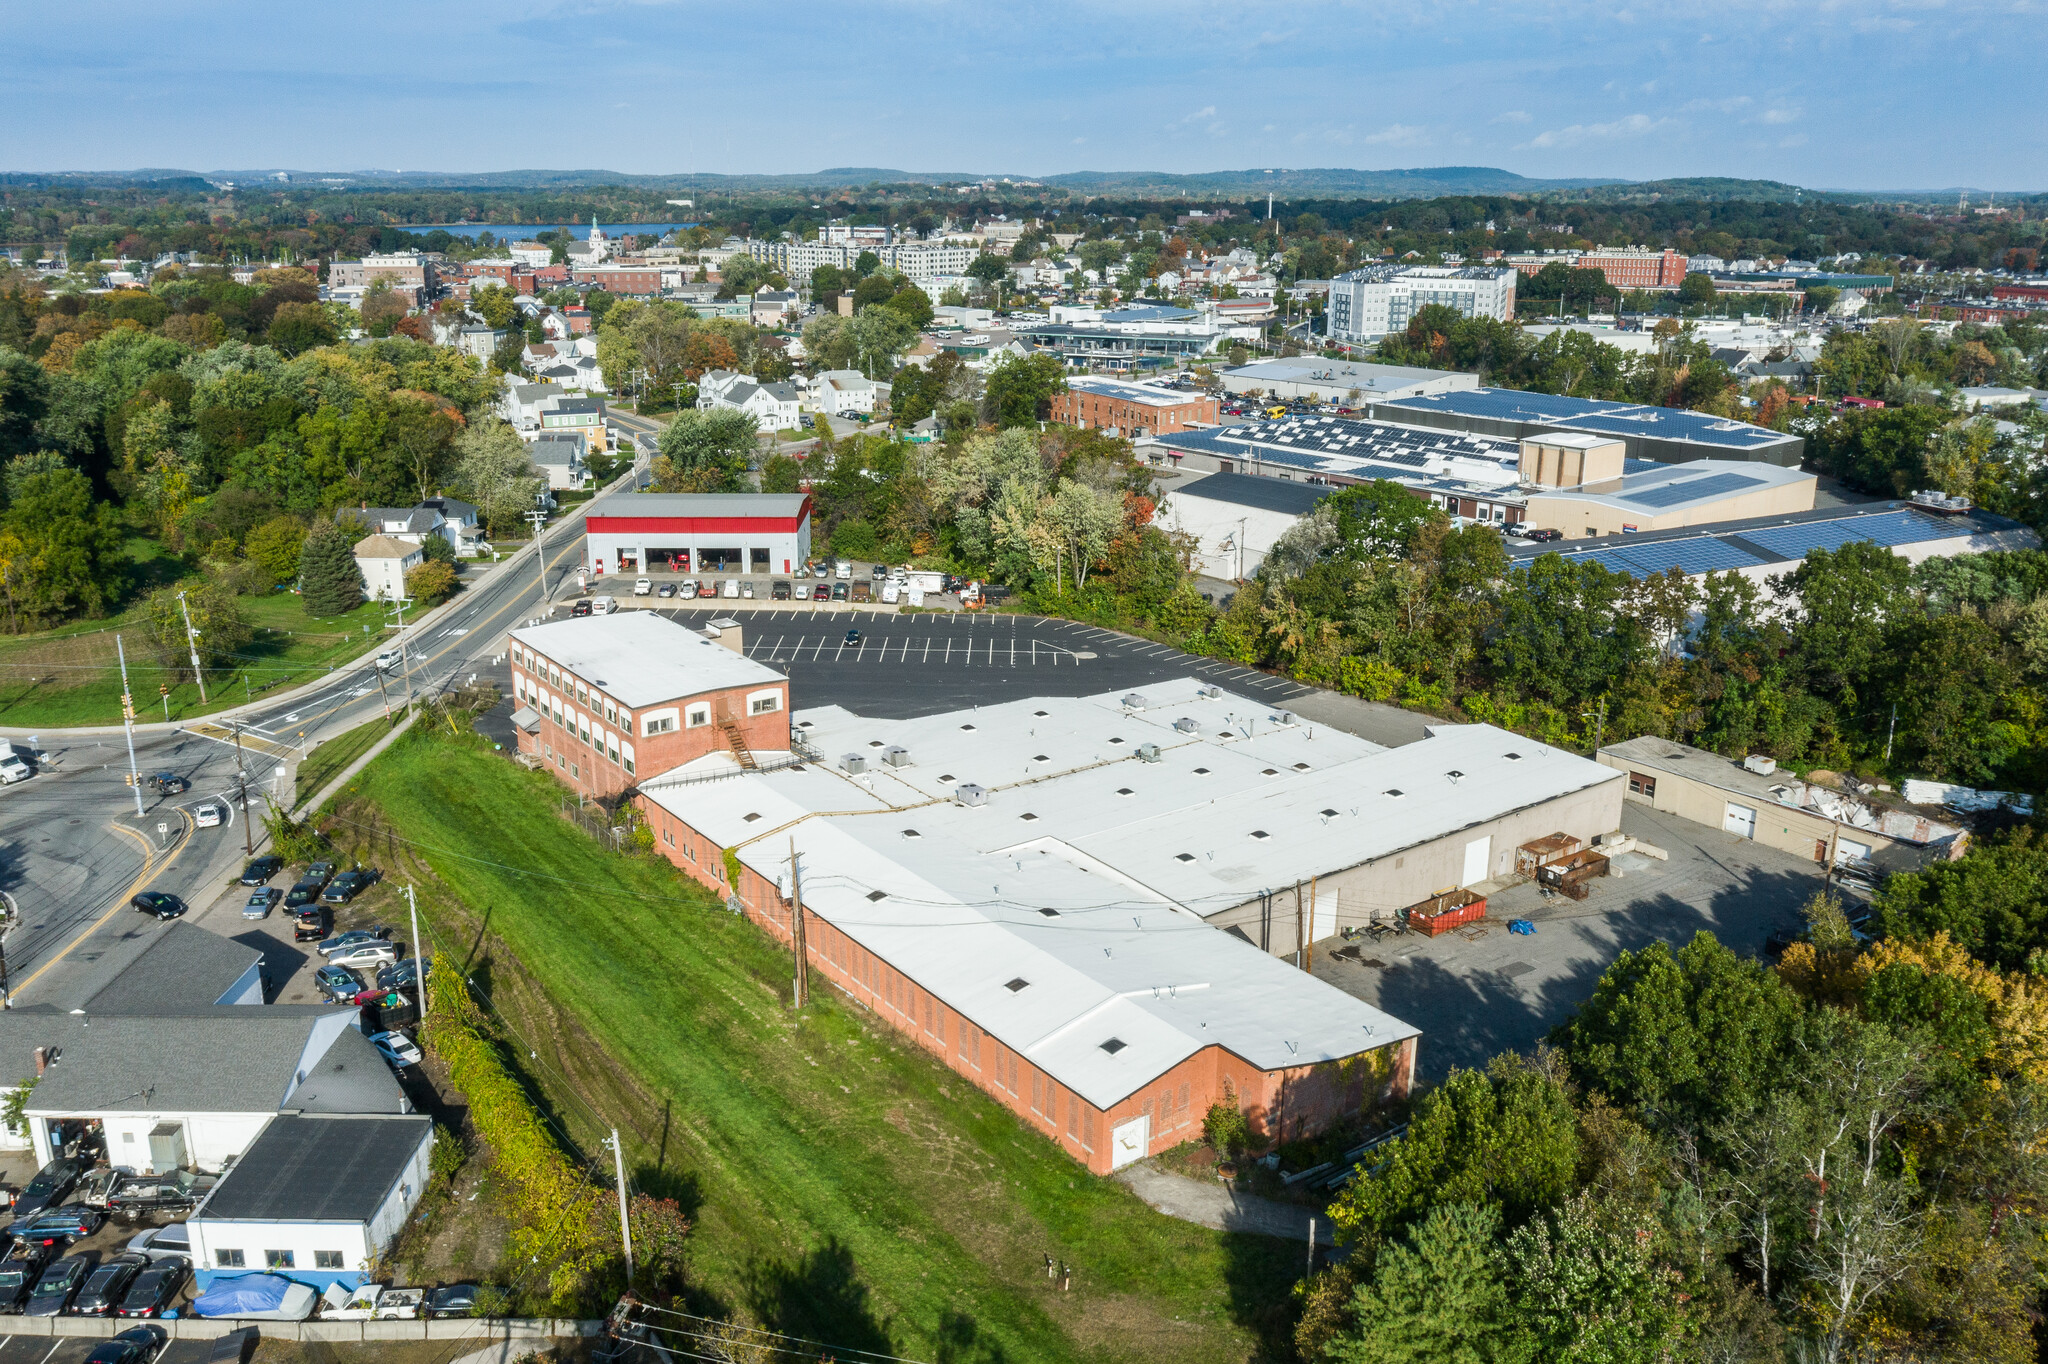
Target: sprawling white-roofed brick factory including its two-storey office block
1091,908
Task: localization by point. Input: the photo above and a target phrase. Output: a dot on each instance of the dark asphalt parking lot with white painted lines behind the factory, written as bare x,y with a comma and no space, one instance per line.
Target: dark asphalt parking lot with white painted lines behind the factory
919,665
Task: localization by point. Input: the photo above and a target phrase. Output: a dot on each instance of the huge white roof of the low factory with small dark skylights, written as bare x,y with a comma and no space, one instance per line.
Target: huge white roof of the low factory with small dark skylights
1089,871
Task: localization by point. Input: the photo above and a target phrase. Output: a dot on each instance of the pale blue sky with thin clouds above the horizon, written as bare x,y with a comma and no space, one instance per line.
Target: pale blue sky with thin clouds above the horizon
1820,93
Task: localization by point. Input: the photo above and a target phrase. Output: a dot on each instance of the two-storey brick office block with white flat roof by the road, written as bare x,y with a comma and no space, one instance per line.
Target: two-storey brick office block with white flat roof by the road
611,701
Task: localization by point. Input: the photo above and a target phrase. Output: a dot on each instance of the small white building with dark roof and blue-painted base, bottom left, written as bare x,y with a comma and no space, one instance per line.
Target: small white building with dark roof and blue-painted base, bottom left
314,1197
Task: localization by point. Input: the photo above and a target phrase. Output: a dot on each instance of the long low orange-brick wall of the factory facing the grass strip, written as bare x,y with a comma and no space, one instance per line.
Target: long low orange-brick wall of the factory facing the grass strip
1285,1105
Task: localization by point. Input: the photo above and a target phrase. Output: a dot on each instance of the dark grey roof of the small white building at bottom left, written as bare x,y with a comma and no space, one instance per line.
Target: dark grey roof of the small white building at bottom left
318,1170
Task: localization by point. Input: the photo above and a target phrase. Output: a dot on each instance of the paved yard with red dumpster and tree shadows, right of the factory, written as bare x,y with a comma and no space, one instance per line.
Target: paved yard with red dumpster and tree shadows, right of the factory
1484,990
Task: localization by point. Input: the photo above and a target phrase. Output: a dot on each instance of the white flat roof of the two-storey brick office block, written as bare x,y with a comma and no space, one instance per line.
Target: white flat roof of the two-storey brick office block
644,658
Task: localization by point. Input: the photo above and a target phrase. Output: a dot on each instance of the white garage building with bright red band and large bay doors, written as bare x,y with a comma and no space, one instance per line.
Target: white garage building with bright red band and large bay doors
699,534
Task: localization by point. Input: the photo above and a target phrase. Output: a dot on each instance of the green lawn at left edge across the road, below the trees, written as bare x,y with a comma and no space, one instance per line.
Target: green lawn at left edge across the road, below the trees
73,677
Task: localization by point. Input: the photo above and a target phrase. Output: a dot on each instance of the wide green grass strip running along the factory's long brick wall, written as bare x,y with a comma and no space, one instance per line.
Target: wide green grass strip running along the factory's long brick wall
845,1187
